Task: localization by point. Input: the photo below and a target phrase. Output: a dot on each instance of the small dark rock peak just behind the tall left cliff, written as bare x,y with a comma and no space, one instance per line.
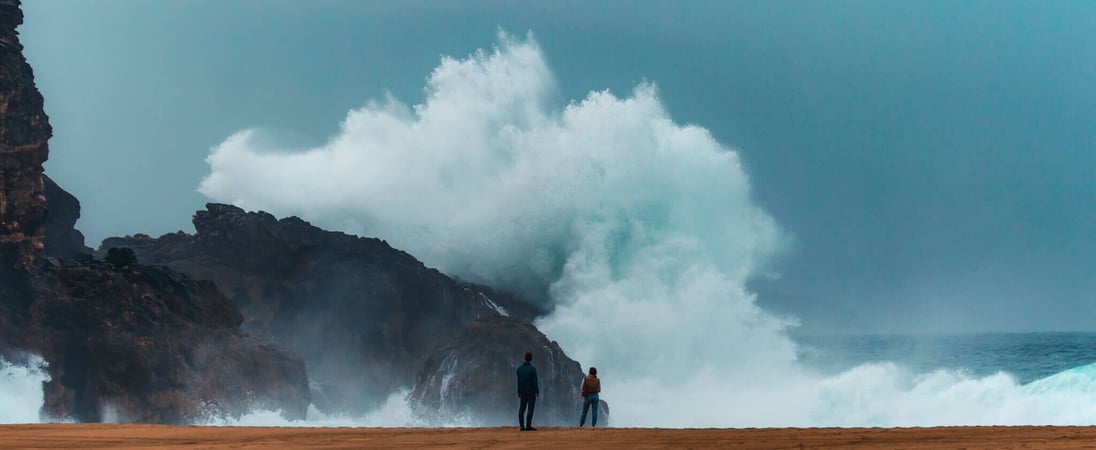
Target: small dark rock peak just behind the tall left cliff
62,238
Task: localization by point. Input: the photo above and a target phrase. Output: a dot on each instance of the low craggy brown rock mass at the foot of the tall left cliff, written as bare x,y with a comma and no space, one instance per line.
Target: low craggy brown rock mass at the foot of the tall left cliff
147,344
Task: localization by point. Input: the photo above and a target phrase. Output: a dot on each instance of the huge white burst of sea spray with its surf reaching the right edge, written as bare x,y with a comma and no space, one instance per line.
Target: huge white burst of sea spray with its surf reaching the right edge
638,233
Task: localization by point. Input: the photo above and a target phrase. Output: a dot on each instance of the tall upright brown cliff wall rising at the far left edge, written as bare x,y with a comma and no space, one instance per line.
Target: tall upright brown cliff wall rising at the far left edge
25,131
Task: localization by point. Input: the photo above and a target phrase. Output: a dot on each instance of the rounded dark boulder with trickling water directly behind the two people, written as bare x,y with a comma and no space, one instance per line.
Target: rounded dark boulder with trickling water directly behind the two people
474,378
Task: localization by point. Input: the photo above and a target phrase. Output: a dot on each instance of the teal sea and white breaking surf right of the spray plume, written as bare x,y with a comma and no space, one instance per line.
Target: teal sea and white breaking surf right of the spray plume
950,380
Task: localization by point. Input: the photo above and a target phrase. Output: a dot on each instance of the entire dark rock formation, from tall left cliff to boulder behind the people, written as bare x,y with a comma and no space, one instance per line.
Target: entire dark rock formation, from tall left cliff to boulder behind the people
125,341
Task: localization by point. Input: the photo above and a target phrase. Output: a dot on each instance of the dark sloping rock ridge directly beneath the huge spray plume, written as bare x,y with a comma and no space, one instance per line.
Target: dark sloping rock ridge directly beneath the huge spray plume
364,316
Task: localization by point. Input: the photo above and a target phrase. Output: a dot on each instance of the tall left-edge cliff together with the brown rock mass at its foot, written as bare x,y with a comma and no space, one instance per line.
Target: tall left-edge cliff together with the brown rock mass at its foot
122,342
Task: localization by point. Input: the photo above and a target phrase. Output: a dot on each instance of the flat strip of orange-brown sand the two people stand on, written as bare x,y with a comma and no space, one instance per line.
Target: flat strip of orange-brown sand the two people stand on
100,436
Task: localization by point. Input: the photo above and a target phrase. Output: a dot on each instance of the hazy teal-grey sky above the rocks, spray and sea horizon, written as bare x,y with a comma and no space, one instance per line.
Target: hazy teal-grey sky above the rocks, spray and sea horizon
933,165
